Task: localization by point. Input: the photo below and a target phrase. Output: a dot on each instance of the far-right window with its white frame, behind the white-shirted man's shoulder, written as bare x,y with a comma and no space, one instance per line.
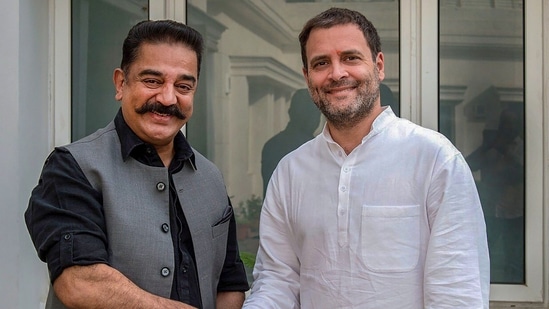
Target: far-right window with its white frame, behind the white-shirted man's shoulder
488,81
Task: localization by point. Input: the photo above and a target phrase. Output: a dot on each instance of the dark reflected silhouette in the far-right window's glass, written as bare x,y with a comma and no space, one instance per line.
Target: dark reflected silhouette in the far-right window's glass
500,161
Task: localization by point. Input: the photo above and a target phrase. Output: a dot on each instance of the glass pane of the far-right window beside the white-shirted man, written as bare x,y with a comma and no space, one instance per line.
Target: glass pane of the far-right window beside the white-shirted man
481,109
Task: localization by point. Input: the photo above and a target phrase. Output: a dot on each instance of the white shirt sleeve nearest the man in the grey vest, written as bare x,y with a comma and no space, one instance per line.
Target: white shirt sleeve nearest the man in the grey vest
276,271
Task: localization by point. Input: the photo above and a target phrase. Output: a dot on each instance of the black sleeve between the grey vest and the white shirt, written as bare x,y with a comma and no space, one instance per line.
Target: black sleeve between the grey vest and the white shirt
233,276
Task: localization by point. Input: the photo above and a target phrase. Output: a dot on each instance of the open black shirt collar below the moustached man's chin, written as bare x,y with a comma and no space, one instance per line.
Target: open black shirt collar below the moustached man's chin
131,144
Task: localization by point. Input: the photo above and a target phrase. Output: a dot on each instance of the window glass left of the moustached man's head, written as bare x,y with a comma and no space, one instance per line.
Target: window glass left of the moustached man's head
98,30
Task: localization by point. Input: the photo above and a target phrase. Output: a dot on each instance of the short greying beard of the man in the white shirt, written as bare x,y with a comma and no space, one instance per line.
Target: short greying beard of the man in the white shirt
347,116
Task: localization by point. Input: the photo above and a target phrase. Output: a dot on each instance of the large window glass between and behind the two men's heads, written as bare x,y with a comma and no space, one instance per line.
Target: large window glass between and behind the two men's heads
252,106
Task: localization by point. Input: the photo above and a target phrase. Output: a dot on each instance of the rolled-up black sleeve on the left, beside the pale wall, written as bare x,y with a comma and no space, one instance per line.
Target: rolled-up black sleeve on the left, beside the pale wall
65,216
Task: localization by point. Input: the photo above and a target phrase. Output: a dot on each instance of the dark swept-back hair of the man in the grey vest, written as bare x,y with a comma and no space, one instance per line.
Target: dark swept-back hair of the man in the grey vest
160,31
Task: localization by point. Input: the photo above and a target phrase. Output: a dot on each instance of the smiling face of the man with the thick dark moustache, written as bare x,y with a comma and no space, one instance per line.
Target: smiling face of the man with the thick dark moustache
157,92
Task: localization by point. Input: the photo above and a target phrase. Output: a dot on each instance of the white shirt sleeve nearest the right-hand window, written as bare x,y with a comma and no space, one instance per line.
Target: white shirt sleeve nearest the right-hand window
457,268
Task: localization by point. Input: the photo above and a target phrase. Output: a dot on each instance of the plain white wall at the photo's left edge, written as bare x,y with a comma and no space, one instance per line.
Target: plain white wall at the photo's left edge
24,138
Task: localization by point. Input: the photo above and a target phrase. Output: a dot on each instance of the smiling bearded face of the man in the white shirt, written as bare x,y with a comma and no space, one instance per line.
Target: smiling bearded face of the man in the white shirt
342,76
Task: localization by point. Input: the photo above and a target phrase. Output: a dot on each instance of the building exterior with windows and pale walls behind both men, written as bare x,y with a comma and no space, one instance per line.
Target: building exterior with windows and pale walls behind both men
457,66
